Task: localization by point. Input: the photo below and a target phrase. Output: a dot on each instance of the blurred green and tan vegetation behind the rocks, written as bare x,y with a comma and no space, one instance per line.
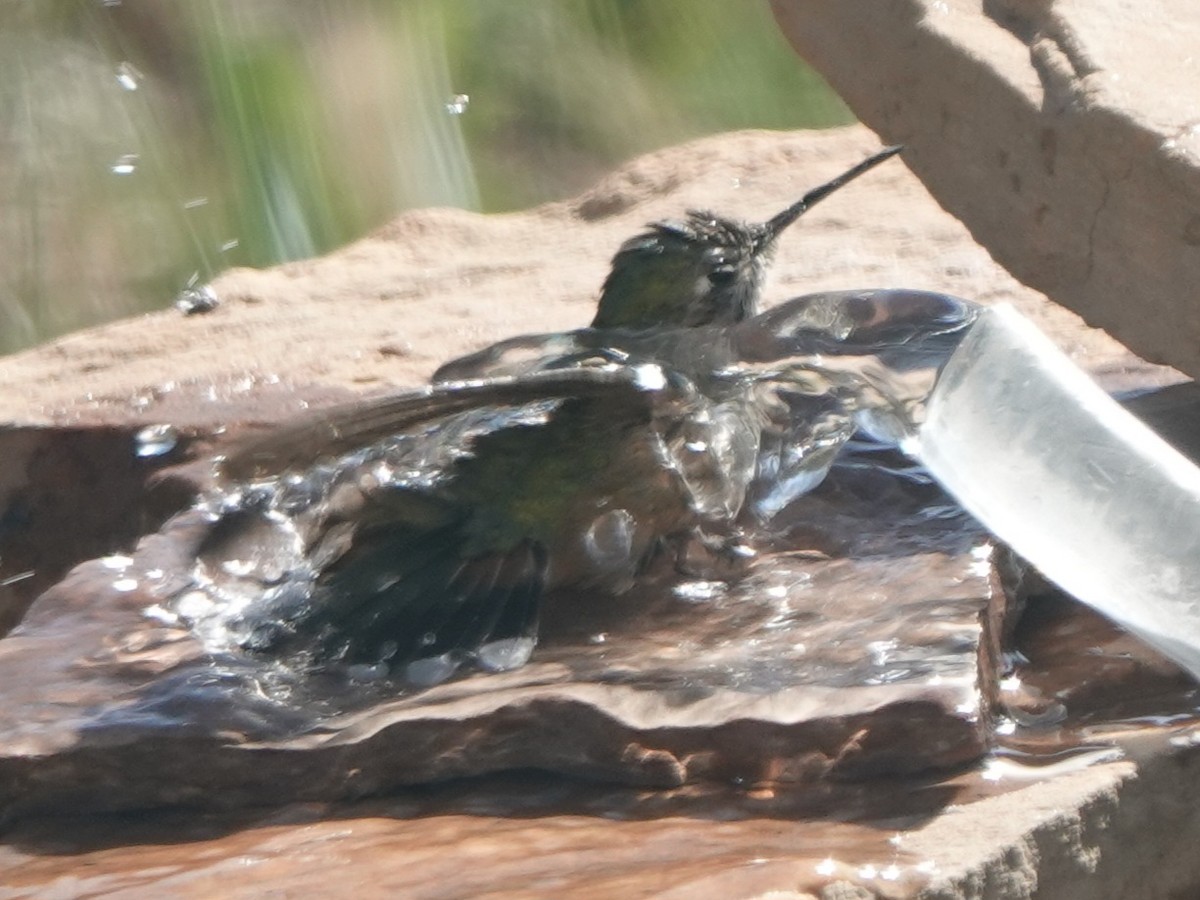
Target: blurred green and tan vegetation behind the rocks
153,143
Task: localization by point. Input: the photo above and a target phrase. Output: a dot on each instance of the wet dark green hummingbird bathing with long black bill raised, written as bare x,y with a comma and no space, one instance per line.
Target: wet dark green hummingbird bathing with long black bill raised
512,476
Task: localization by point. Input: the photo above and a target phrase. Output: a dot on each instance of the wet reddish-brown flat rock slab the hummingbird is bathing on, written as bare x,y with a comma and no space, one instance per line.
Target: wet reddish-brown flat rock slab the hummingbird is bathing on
842,653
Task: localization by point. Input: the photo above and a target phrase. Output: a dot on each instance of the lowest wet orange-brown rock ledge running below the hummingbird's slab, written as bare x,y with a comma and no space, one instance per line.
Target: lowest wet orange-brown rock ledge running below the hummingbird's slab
1061,808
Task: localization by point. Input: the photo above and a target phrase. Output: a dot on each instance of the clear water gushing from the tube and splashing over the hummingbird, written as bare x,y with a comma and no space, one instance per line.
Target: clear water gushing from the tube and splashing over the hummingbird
753,416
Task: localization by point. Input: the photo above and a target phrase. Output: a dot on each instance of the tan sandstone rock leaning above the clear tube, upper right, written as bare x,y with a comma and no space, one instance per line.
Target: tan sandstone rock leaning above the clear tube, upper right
1063,134
